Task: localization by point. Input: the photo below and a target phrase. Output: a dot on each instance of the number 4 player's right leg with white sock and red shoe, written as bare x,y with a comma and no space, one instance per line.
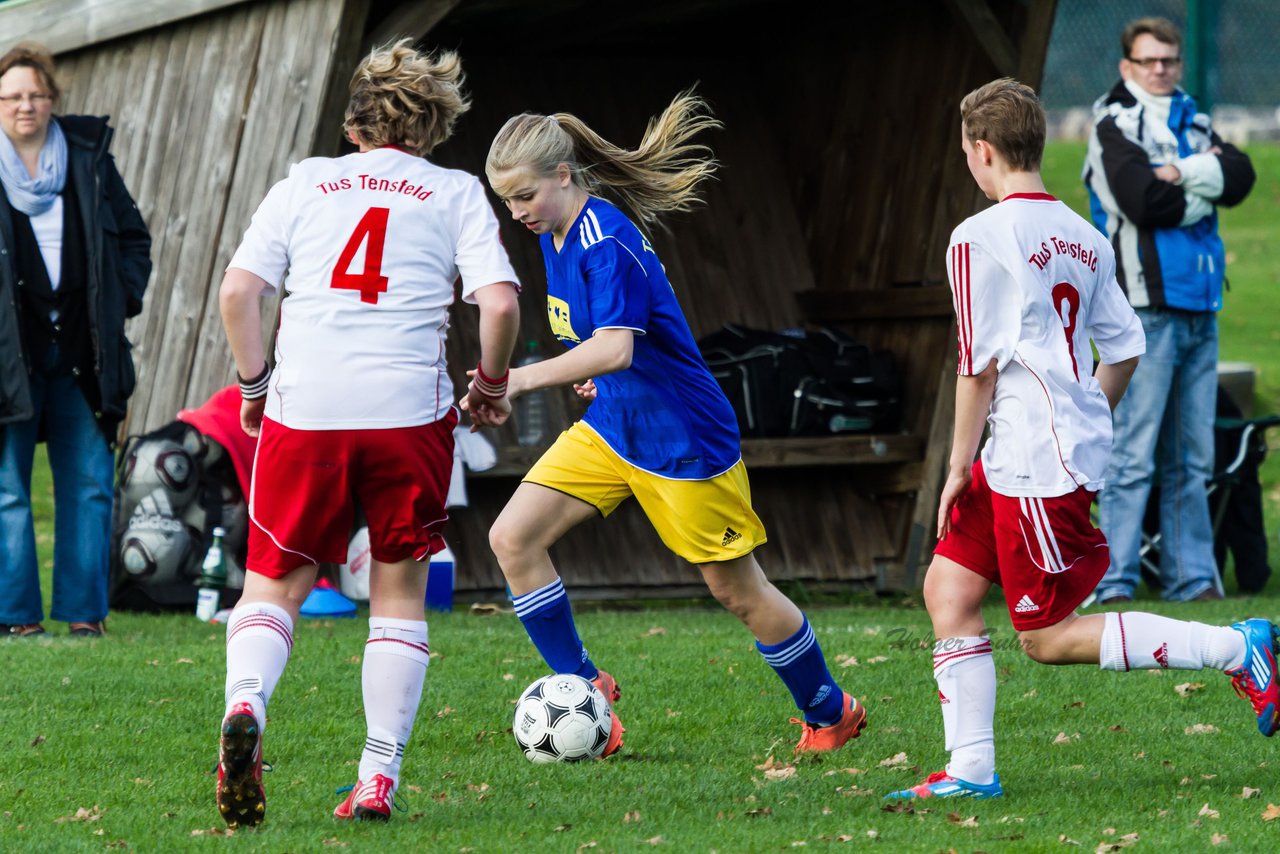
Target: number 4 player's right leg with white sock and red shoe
392,675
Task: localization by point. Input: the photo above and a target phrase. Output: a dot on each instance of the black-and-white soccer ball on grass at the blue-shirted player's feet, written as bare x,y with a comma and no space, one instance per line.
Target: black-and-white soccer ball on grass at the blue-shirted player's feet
563,719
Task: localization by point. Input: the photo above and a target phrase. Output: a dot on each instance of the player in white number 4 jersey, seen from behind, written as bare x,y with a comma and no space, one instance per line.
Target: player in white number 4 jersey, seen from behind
359,407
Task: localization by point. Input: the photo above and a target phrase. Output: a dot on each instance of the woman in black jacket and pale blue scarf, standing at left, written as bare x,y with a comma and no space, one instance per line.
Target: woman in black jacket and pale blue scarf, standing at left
75,261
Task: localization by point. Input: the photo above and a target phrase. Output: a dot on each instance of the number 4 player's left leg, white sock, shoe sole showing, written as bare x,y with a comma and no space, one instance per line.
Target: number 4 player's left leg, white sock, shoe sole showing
259,641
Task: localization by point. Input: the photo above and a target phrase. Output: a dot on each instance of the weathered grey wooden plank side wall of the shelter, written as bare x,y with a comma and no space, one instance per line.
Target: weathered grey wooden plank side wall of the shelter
208,113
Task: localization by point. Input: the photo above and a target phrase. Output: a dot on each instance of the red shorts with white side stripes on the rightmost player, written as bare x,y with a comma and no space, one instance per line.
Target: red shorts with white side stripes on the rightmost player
1045,552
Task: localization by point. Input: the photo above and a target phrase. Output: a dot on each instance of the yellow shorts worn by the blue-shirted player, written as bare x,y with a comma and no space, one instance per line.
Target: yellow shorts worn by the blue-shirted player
703,522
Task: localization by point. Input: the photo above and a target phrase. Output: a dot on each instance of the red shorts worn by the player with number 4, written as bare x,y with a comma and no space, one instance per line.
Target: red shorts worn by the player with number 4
307,485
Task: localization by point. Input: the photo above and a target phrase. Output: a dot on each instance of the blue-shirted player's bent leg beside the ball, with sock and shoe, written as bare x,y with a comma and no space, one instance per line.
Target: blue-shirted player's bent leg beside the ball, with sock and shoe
529,526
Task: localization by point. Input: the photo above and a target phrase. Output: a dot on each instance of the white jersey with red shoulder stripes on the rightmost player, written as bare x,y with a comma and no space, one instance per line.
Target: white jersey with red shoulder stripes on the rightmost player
1032,285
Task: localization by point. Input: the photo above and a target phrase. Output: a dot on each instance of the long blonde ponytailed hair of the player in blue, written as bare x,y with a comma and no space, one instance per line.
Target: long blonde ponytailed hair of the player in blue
661,176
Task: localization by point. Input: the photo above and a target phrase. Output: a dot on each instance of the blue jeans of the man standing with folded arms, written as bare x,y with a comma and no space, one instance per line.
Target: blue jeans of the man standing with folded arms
1167,417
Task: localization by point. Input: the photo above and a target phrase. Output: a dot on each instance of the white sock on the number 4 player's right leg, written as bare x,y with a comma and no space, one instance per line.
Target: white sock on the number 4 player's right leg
396,660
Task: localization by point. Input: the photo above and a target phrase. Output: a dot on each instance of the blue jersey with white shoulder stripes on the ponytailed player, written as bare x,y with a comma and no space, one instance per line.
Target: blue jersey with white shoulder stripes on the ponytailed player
666,414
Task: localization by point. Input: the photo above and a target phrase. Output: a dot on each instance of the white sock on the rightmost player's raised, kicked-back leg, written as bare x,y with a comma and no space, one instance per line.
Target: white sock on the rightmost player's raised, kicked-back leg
1137,641
